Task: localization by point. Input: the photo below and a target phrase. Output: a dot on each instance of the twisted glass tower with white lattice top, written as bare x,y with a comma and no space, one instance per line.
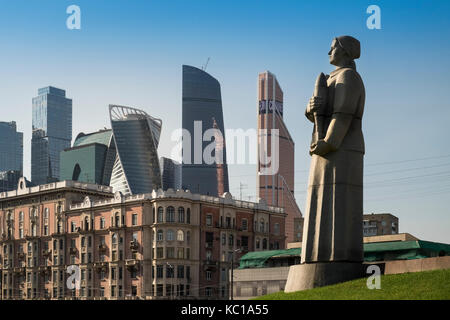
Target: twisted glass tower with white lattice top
136,134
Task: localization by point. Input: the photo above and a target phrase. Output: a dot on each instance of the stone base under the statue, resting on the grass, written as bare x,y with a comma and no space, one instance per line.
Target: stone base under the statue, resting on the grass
311,275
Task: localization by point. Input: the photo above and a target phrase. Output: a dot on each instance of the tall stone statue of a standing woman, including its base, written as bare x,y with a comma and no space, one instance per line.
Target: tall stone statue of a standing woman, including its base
332,246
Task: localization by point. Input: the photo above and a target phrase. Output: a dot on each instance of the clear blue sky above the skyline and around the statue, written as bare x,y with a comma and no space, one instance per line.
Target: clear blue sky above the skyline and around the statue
131,52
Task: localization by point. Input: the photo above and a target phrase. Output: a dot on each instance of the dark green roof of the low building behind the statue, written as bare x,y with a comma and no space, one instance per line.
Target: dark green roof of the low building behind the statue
378,251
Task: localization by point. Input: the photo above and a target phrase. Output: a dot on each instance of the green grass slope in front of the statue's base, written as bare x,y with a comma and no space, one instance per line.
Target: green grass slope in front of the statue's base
427,285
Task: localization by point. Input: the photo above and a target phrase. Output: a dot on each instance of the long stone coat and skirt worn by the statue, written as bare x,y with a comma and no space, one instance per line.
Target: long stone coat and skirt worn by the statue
334,205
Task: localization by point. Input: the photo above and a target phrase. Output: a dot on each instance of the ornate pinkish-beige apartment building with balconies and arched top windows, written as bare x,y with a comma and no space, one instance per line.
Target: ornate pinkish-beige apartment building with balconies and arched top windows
71,240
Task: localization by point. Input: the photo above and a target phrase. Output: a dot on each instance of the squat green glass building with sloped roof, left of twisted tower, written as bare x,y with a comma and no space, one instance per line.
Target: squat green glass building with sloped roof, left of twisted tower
91,158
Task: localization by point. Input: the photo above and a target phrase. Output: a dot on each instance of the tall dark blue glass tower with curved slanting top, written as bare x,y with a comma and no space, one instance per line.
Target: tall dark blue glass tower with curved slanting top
202,102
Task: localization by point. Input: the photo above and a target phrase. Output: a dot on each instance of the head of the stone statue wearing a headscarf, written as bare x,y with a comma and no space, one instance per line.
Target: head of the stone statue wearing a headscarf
344,50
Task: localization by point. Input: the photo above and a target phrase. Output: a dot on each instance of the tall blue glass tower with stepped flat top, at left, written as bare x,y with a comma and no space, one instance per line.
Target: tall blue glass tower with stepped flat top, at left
52,133
